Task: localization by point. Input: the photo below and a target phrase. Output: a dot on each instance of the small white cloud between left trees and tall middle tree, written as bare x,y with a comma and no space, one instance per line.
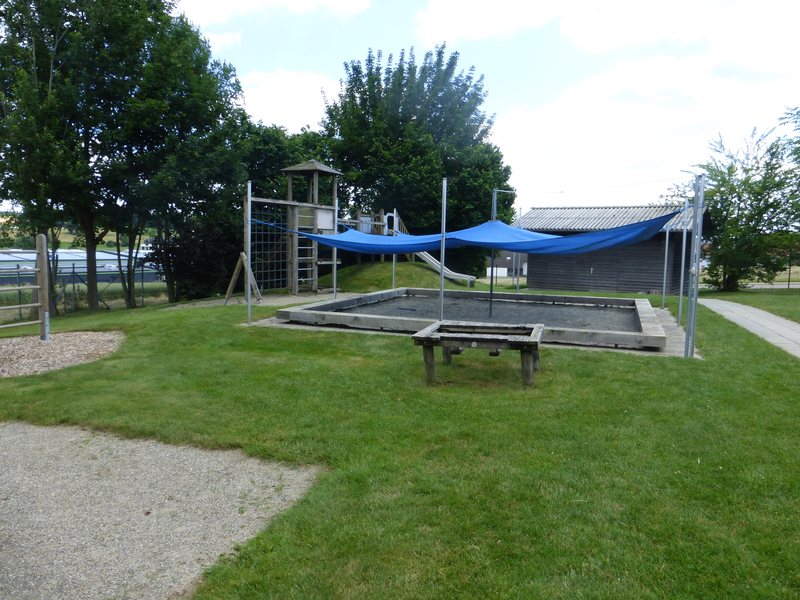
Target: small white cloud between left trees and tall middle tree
287,98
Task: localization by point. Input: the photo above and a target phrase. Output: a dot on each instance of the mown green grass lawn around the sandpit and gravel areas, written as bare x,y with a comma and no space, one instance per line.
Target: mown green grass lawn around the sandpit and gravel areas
616,476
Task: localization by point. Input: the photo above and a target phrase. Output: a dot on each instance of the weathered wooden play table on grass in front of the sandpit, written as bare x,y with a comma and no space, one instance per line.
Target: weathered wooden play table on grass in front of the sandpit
455,336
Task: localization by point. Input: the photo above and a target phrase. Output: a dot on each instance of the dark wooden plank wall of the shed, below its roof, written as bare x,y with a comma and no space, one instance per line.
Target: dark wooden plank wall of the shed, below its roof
635,268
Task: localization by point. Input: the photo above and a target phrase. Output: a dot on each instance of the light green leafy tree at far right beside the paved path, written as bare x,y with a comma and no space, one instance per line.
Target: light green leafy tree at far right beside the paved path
754,206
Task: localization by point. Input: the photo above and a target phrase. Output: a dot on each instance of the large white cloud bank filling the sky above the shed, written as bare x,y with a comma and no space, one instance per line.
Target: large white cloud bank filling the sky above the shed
641,121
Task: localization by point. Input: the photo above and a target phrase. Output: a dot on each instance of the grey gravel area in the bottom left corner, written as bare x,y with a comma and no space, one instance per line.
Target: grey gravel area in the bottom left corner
90,516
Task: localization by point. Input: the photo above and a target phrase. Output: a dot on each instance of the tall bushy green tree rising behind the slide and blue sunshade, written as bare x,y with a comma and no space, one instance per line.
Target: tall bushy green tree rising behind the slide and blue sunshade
396,132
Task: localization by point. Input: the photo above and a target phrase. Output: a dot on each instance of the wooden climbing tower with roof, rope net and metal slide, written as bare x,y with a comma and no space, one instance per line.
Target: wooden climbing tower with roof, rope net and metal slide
281,259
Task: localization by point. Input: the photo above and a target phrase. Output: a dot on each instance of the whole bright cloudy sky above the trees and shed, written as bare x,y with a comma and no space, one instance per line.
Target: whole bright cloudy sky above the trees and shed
595,103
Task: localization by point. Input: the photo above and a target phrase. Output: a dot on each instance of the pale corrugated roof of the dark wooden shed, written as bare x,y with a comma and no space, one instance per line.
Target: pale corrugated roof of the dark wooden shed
596,218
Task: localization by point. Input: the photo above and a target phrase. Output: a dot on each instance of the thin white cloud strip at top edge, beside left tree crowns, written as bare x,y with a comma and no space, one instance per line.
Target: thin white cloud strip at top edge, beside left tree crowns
207,12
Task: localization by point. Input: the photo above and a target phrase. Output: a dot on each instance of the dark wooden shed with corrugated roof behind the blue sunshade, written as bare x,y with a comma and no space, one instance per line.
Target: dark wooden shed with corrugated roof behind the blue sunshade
635,268
